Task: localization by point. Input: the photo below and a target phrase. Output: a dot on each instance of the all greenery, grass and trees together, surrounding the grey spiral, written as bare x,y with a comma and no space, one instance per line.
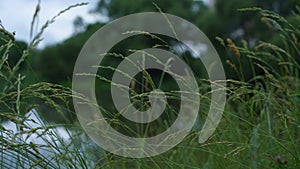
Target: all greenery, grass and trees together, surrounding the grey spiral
258,43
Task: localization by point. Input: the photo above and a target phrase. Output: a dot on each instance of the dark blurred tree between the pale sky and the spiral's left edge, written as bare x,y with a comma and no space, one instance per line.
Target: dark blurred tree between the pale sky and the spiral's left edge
55,63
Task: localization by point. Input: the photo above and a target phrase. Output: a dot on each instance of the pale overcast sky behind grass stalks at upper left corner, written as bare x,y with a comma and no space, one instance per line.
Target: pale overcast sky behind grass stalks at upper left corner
16,15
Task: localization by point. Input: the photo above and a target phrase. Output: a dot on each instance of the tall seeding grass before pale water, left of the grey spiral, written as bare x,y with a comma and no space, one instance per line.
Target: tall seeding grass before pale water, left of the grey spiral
28,141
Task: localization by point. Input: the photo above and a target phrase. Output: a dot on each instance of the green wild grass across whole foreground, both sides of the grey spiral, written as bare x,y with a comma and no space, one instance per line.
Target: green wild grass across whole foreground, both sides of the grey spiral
260,127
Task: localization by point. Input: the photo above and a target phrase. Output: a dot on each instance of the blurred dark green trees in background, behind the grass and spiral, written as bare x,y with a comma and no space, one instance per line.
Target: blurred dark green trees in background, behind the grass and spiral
223,21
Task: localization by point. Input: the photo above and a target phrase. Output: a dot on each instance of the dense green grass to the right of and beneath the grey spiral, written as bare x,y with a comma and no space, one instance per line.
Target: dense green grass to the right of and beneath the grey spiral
261,121
